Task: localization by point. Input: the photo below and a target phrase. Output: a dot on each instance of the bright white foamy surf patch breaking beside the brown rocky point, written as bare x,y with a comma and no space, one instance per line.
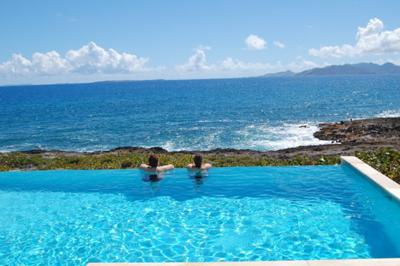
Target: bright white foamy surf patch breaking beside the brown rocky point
266,137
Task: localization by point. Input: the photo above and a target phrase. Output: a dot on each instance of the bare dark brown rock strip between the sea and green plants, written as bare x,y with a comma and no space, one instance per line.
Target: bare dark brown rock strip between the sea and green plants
347,137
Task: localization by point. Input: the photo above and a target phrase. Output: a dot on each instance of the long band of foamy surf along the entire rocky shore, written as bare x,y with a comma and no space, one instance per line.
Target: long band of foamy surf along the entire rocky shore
261,137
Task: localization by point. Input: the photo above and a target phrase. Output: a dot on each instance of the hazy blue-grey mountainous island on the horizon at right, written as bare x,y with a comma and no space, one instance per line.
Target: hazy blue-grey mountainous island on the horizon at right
343,70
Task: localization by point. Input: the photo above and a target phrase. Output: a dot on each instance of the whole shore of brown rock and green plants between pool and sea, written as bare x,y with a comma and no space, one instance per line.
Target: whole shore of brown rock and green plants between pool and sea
376,141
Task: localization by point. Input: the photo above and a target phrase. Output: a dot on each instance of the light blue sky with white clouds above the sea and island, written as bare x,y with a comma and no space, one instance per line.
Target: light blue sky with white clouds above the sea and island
53,41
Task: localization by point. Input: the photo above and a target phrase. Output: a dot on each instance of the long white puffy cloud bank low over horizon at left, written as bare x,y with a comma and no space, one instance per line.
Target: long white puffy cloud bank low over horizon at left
88,59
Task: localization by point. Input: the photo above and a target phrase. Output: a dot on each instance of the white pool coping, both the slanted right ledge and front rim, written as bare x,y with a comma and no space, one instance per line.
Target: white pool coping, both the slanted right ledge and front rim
378,178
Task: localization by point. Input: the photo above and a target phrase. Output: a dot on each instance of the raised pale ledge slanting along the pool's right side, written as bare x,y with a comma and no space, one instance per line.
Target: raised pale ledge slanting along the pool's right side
374,175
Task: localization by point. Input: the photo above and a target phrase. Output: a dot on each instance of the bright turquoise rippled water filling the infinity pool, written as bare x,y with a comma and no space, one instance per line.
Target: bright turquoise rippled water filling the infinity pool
234,214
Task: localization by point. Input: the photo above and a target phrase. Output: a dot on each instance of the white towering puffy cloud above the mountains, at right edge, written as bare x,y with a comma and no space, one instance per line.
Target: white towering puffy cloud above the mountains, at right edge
371,39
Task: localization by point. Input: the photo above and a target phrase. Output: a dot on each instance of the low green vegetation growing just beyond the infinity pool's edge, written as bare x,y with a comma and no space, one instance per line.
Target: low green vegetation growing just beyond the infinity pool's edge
385,160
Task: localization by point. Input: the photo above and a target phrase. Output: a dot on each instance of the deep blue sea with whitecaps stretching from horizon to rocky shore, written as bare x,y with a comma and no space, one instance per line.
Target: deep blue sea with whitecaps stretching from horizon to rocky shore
254,113
